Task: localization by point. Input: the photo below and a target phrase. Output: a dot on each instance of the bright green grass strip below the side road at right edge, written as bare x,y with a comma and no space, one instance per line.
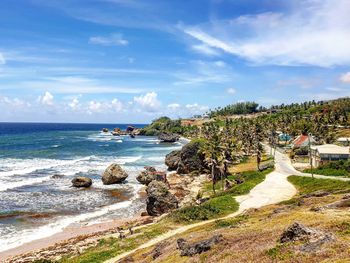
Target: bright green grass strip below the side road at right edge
307,185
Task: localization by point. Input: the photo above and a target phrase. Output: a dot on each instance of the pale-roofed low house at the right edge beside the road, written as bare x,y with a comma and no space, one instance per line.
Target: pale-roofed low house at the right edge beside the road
328,152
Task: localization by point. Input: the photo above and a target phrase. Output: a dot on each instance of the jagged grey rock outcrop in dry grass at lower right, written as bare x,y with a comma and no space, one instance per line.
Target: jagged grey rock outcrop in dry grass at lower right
298,232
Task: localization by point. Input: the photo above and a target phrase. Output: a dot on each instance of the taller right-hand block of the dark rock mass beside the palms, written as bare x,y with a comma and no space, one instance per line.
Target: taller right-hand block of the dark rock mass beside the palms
191,159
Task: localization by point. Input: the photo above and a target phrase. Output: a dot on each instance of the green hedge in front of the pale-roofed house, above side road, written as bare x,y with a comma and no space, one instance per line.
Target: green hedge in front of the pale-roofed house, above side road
338,168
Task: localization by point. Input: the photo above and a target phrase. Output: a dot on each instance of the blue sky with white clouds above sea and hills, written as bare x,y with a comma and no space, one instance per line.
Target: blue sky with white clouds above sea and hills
131,61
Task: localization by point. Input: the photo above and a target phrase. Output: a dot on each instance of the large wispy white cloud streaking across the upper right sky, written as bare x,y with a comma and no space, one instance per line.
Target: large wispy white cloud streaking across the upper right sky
315,32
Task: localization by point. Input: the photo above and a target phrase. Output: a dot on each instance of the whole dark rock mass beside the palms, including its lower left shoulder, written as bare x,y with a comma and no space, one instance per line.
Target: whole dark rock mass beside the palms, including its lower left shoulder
186,160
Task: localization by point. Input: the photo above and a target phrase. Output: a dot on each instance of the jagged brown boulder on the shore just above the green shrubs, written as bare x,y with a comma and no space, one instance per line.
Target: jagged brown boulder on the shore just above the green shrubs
159,199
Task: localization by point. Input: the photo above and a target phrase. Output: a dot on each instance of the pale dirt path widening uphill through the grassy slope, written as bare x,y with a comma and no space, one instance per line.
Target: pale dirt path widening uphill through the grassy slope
274,189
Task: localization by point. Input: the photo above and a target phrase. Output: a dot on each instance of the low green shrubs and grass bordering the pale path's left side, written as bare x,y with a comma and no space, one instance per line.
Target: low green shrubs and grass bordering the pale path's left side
215,207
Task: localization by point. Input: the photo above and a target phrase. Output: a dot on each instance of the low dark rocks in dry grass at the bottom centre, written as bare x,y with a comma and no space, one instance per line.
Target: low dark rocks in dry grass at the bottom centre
198,247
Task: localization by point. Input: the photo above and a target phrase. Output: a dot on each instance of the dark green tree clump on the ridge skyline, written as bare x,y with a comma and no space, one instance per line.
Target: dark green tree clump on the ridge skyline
235,109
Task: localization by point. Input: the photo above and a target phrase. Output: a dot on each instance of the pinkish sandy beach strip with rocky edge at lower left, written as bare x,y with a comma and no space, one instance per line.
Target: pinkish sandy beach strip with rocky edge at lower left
74,236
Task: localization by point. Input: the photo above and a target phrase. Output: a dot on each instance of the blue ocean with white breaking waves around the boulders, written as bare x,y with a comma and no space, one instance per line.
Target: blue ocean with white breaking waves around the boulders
38,162
